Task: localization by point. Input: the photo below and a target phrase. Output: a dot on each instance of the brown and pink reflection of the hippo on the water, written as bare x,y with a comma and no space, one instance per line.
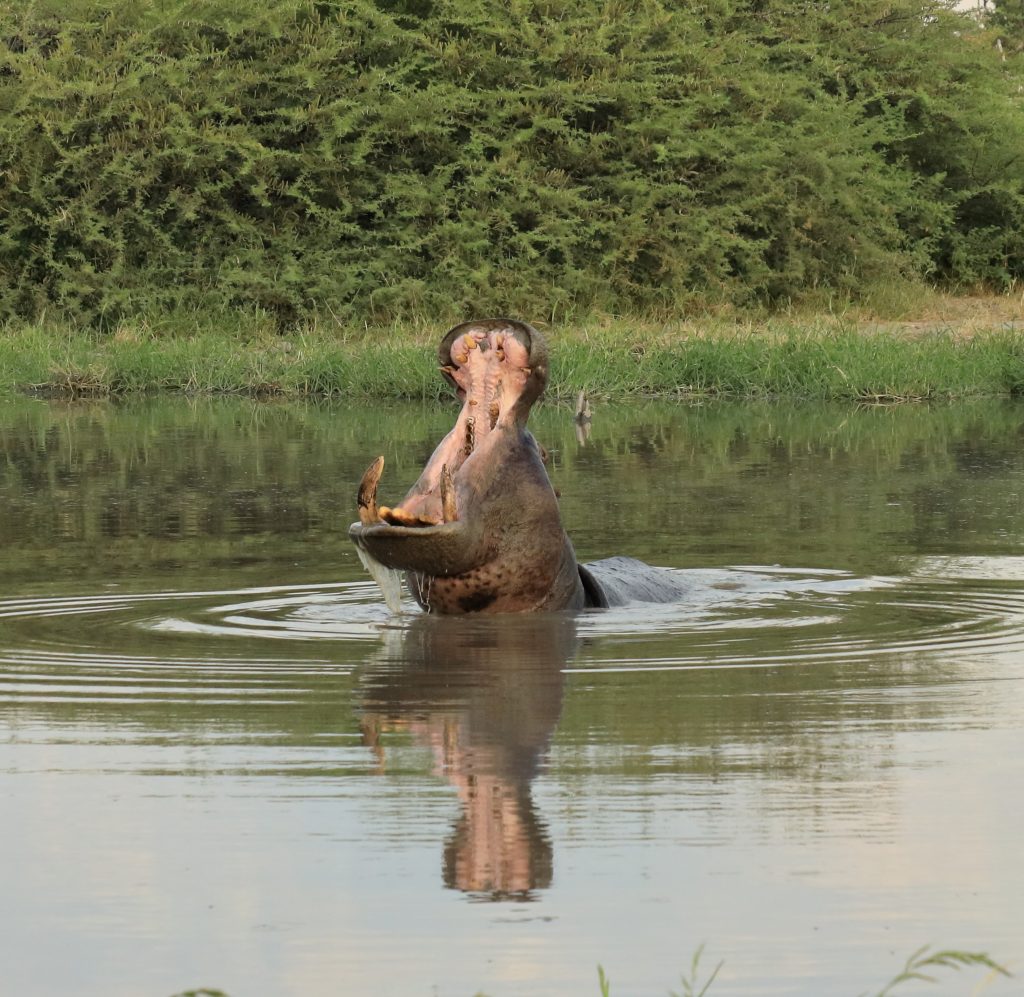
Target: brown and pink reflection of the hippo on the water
485,698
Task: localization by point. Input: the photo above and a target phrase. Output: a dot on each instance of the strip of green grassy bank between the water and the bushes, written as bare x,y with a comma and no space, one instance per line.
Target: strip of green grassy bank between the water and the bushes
819,358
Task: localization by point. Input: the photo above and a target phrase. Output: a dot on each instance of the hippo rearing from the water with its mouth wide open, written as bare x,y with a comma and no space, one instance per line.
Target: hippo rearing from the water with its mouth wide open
481,531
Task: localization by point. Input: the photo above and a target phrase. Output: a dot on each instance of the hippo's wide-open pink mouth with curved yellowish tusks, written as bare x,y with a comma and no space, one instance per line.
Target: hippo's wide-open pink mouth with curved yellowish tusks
499,369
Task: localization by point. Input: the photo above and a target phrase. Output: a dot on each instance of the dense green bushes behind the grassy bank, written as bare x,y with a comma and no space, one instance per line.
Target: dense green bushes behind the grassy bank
381,160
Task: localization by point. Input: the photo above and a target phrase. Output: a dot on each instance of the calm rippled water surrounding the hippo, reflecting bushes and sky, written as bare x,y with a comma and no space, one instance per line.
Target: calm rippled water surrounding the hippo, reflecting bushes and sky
224,763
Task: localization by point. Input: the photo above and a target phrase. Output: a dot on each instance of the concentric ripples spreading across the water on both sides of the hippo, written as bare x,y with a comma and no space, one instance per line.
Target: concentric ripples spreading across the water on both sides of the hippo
275,644
